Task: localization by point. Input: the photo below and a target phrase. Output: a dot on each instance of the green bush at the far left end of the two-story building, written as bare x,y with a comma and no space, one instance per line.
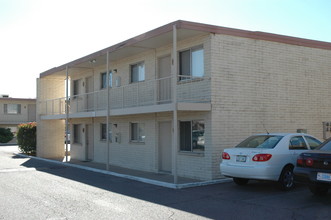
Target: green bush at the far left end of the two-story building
27,137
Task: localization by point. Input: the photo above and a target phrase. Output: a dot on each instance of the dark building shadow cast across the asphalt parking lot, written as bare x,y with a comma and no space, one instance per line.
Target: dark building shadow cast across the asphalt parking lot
208,201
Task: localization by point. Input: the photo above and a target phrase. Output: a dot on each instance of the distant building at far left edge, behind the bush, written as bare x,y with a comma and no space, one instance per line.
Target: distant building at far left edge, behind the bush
15,111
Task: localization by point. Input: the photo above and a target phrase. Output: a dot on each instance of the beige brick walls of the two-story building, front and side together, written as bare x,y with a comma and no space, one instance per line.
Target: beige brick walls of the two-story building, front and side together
253,84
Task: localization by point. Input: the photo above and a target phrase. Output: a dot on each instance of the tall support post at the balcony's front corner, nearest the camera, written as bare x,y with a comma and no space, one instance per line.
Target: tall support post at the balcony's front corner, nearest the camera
174,120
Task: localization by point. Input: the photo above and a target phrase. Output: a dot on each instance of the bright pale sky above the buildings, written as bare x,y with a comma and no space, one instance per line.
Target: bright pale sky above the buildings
37,35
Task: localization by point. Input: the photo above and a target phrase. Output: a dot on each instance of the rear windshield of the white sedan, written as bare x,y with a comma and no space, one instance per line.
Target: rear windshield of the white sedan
260,141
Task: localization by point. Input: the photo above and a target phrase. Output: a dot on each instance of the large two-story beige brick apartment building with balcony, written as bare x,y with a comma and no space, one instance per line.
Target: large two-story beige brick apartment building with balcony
199,86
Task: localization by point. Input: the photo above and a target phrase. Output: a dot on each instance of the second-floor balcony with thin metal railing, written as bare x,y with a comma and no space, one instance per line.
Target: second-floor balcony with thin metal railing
149,96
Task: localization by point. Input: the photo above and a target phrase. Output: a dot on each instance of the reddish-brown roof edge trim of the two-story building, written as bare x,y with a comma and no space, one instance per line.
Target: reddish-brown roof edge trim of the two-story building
180,24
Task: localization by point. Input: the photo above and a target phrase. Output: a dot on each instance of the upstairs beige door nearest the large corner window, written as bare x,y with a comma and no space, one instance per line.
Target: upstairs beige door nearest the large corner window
164,70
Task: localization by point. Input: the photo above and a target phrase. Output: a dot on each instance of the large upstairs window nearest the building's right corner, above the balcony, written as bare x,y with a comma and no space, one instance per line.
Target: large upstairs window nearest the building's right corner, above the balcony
191,63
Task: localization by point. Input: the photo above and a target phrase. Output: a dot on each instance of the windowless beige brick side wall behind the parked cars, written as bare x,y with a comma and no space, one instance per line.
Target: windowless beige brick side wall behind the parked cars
255,83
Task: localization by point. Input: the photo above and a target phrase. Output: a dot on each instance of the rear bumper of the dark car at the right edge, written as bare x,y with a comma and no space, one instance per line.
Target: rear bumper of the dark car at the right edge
308,177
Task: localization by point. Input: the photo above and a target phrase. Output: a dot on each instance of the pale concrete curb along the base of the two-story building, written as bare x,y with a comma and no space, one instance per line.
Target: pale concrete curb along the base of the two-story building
139,179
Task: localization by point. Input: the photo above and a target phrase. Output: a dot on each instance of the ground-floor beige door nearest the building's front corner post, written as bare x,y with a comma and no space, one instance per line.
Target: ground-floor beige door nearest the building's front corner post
165,143
